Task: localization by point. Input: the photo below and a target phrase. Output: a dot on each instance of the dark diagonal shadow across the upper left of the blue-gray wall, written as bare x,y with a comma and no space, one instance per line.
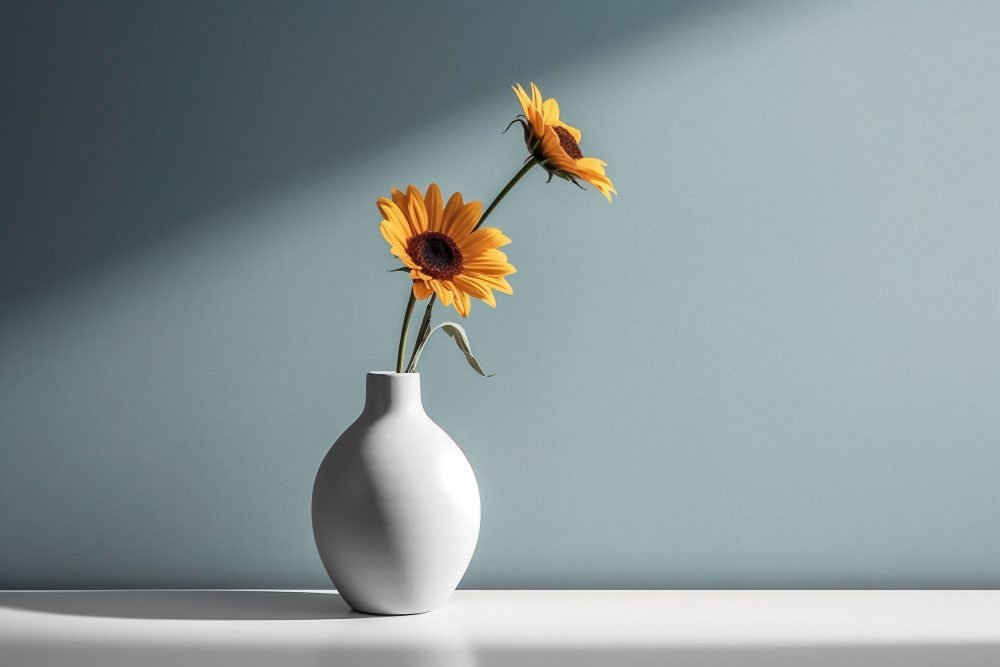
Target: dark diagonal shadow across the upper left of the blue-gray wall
127,121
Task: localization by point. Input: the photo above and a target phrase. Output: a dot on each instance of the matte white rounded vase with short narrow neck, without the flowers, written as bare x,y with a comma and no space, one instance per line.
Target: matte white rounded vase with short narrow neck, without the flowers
395,504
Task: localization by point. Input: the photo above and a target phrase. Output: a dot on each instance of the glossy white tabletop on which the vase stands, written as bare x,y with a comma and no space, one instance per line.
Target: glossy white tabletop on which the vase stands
485,628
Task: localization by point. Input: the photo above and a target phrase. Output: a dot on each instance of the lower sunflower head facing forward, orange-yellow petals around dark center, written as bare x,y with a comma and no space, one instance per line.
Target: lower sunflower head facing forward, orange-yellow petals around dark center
439,247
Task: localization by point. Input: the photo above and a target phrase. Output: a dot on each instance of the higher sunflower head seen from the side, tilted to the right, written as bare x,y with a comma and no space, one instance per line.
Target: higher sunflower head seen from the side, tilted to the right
556,145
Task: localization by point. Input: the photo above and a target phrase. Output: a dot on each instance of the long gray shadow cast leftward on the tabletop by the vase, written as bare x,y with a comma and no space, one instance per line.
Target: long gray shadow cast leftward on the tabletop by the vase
220,605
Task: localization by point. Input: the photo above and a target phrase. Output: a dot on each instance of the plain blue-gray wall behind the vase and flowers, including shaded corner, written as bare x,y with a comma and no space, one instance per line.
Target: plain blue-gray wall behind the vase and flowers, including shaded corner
774,360
